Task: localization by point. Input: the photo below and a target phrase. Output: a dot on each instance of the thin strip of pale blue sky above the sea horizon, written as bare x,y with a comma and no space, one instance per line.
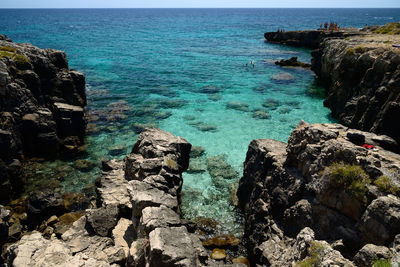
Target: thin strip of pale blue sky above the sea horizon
193,3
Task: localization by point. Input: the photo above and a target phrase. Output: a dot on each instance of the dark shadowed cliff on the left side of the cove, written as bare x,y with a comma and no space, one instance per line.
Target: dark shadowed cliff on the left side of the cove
41,109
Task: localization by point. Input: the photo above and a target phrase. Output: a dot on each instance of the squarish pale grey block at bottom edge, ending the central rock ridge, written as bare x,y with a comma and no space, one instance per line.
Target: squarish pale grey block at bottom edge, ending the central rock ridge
174,246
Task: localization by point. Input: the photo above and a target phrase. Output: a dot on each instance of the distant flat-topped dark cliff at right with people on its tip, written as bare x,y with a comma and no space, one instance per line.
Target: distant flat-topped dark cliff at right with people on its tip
361,72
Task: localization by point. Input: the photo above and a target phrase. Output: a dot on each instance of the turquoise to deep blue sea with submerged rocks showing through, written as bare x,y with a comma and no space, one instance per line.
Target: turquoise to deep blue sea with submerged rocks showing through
183,70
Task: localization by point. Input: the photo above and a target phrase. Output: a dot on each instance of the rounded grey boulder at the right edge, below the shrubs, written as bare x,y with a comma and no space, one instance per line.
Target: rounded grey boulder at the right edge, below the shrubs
381,221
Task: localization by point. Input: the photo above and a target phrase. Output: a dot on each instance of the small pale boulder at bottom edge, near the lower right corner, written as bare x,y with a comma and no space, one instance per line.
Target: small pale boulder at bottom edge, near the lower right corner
370,253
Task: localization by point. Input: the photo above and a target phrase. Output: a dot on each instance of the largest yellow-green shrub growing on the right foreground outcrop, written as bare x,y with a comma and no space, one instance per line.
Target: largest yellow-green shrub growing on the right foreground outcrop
352,177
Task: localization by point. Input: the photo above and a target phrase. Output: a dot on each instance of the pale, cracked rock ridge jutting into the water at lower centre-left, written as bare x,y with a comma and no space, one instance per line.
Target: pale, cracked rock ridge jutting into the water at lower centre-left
137,220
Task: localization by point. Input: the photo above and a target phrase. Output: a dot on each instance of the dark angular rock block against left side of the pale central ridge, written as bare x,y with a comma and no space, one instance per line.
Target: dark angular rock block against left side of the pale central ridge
102,220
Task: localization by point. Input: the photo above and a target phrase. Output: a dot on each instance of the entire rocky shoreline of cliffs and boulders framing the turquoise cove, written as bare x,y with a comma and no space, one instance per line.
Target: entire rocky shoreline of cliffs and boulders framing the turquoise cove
330,197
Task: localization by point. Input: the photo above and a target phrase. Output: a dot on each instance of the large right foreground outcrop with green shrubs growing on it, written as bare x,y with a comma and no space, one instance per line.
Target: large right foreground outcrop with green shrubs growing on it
323,180
